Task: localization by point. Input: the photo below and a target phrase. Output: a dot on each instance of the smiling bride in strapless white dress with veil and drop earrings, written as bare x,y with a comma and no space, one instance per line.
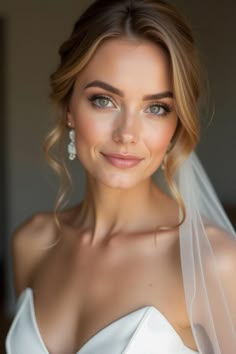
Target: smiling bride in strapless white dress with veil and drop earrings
133,268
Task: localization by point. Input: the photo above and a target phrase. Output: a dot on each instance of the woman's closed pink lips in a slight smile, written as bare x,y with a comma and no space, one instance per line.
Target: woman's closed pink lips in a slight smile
122,160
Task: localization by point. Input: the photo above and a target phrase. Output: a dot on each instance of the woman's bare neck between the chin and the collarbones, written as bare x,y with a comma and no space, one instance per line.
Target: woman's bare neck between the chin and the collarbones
106,211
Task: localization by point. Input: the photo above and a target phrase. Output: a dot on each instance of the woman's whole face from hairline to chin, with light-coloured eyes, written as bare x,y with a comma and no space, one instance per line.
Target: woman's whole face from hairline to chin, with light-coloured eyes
123,103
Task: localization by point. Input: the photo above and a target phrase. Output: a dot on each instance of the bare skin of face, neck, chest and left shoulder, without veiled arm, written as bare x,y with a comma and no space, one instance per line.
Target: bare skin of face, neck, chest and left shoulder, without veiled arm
111,259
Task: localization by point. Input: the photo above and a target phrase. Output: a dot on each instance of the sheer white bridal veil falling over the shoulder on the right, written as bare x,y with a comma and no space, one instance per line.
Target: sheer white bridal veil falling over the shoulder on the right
207,248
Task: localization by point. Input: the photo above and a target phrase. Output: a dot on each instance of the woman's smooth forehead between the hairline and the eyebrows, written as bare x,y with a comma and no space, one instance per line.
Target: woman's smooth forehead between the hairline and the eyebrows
126,63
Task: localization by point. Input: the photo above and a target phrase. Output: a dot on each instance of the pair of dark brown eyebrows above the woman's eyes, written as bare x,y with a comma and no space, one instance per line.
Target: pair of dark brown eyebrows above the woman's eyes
116,91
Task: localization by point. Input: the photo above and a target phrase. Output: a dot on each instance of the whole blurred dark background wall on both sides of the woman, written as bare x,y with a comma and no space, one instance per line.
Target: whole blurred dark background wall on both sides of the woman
33,30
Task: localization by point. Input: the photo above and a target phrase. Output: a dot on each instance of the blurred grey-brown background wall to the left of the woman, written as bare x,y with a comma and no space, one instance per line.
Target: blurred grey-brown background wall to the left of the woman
33,31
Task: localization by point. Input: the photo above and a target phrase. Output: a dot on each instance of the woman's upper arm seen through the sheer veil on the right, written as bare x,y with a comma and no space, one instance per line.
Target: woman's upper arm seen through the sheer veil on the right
215,310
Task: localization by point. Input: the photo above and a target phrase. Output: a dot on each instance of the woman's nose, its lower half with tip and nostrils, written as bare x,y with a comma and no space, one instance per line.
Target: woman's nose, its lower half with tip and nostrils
126,131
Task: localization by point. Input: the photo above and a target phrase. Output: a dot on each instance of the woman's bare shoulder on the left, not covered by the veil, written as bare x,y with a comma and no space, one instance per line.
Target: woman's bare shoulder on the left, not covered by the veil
30,242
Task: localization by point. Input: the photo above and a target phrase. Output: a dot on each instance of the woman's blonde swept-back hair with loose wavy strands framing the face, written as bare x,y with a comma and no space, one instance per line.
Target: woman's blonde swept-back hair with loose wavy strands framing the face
152,20
